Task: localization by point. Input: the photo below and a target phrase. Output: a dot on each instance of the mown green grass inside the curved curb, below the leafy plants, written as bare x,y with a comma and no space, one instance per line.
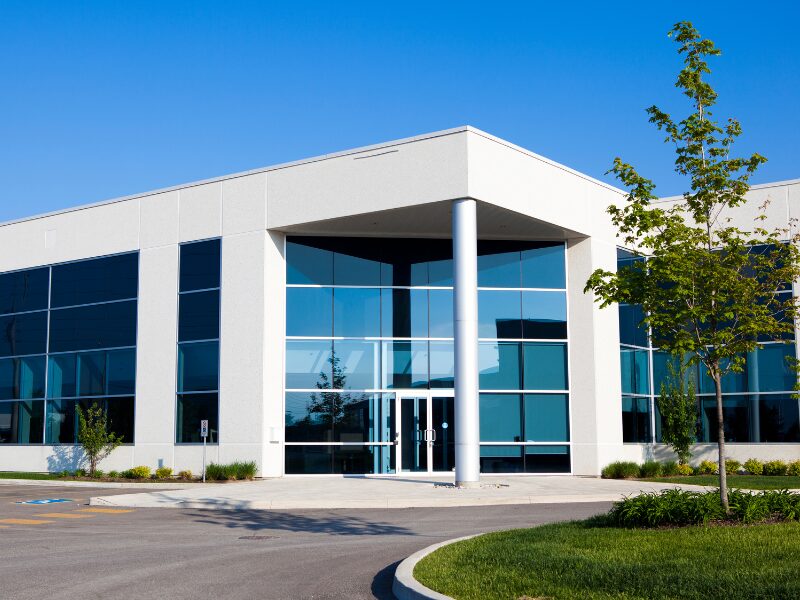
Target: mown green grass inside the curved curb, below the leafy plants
576,560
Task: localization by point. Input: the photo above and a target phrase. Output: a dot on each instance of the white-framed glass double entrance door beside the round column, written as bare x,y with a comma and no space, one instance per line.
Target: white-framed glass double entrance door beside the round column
426,438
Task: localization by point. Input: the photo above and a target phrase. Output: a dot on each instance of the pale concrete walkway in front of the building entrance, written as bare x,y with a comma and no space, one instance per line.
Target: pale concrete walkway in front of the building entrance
385,492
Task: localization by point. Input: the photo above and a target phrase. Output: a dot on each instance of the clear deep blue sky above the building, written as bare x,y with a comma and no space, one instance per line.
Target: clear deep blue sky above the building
104,99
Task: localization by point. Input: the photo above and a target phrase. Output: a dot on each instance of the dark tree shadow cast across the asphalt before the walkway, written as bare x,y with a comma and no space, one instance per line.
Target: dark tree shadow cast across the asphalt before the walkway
327,523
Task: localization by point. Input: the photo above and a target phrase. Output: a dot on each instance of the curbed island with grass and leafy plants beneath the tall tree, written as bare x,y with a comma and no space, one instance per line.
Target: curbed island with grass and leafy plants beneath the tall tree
647,547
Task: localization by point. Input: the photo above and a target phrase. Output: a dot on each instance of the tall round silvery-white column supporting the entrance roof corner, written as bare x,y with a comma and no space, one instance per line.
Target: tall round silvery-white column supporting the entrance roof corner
465,312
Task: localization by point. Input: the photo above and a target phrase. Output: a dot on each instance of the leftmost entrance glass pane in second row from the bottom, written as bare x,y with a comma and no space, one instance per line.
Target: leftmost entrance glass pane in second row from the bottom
309,416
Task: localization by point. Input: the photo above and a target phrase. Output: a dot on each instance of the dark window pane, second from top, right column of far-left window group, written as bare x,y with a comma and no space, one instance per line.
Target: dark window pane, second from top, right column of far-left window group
90,327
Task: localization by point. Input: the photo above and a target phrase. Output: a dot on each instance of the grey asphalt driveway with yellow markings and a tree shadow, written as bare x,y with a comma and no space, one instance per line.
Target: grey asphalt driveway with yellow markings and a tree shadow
71,550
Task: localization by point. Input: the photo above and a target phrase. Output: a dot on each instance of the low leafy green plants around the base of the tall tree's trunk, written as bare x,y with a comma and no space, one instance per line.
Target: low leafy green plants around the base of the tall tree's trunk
679,507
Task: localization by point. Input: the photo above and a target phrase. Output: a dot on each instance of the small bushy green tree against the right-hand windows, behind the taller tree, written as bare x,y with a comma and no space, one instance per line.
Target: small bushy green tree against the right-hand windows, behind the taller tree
677,404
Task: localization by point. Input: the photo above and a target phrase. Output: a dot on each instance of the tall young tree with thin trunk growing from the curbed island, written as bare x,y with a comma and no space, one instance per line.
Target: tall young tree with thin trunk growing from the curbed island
708,288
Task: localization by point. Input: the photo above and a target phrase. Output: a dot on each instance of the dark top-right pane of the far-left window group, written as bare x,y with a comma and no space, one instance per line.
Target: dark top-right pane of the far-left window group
96,280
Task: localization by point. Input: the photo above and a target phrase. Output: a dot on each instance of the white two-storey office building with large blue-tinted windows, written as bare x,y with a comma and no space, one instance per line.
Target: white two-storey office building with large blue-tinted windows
306,311
